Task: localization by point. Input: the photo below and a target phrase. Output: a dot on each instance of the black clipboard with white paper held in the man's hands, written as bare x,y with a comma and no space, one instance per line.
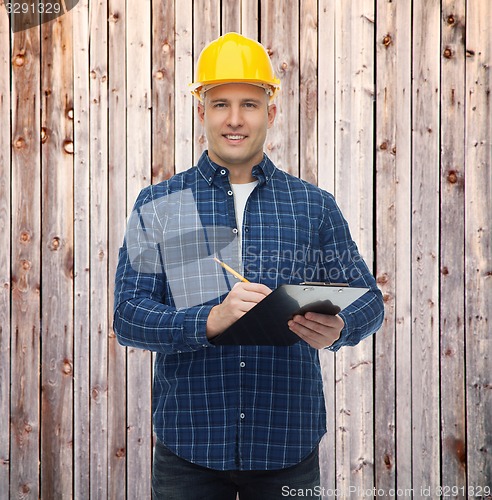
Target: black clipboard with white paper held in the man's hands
266,322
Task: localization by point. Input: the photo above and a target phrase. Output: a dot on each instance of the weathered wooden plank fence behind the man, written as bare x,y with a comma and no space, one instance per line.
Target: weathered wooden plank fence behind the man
386,103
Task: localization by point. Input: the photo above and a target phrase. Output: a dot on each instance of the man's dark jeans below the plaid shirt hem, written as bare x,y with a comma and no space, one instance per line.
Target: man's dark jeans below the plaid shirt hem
176,479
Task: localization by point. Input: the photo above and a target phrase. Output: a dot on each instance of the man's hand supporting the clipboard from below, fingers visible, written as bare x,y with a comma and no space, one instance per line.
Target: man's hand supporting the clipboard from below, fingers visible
318,330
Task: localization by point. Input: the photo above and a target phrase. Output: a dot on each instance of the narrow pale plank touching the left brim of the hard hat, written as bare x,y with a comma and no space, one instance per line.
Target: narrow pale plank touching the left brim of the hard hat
184,101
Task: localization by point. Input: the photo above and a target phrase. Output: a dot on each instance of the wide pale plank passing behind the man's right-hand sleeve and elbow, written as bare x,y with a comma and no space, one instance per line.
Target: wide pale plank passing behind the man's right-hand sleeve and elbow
353,188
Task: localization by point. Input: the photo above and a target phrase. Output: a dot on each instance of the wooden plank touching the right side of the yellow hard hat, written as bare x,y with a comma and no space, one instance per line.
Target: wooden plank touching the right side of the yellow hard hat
280,36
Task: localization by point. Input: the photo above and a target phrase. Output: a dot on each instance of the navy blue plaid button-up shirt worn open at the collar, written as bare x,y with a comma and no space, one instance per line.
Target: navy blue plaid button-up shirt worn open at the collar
243,407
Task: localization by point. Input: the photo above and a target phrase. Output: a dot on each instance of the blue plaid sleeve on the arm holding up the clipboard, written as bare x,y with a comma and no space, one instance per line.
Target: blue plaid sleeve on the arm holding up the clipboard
344,264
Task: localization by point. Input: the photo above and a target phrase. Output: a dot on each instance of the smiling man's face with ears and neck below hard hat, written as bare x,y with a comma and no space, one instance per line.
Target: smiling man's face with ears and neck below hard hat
236,117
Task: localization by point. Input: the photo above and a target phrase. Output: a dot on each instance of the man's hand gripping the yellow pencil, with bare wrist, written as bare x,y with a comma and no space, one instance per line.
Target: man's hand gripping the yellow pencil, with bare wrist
239,301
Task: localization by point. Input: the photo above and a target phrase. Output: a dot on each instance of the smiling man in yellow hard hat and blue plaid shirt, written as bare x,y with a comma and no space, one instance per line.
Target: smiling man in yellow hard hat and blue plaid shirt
233,420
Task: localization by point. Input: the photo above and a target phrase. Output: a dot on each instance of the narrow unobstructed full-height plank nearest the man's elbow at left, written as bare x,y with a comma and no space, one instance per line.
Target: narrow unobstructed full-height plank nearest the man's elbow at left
98,130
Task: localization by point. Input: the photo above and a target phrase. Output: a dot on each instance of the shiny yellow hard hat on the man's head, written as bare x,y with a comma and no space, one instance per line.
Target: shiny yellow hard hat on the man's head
233,58
